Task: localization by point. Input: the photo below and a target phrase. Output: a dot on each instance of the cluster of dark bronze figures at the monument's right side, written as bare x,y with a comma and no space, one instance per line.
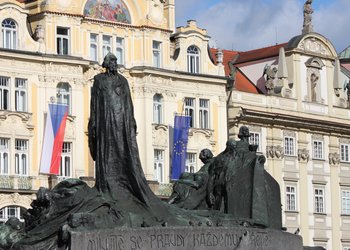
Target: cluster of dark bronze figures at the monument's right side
234,182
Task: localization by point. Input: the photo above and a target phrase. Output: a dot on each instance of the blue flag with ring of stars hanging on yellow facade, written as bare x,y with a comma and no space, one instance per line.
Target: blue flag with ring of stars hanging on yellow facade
181,126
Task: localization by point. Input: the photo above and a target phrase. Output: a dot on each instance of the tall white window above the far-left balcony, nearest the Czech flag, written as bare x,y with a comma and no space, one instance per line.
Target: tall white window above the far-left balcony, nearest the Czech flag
21,157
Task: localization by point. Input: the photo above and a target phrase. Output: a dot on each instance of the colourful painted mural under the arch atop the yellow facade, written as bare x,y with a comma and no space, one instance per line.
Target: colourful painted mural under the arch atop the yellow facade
110,10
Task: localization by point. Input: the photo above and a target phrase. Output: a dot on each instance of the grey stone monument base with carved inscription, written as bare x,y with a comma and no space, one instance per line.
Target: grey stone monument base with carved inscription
183,238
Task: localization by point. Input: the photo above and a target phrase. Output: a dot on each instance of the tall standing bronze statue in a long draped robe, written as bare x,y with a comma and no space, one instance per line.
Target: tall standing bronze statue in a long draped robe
112,136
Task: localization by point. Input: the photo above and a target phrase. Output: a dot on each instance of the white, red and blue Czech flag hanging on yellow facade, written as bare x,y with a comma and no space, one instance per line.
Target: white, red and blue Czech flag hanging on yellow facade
53,138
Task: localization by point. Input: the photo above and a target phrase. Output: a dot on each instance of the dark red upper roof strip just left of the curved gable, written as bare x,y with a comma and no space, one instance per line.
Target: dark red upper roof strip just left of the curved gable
258,54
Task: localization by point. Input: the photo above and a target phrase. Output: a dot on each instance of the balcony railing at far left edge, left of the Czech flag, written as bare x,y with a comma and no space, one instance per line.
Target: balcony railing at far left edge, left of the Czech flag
16,182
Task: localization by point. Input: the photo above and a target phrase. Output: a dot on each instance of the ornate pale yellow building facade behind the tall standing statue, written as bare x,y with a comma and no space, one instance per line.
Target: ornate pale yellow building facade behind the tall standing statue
50,50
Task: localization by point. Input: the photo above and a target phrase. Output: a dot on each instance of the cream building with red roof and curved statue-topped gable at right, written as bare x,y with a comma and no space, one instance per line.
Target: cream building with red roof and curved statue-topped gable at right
294,99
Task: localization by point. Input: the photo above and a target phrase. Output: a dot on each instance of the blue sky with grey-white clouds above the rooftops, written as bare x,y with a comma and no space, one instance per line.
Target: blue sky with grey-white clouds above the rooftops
250,24
